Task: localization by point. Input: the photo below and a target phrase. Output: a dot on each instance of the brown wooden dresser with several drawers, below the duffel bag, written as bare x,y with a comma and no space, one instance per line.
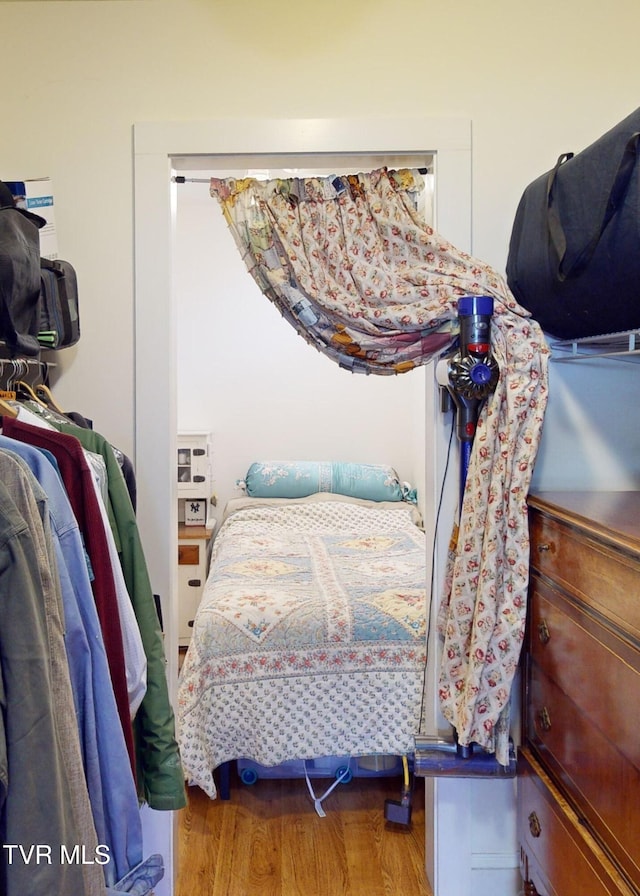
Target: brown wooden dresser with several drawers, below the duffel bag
579,763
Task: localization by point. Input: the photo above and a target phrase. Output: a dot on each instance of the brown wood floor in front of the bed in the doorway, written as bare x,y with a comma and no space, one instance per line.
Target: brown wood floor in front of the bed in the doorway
268,841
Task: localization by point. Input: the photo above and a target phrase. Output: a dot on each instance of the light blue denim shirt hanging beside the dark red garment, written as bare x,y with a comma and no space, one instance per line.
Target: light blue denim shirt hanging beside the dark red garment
110,782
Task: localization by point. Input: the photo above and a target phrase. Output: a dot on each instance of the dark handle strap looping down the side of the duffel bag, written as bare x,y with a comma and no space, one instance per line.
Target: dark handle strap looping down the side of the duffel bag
616,198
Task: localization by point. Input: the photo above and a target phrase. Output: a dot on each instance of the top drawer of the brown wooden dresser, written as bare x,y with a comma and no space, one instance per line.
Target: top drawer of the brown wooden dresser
603,576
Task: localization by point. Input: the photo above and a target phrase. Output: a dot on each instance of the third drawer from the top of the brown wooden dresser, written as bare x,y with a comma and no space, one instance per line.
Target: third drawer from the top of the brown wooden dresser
602,784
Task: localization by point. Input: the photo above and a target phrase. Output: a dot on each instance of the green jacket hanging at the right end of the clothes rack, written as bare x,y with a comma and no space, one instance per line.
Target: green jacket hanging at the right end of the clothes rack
160,778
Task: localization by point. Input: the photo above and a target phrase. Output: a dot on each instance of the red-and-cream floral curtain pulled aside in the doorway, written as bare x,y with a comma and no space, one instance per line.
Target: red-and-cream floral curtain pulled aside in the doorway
353,267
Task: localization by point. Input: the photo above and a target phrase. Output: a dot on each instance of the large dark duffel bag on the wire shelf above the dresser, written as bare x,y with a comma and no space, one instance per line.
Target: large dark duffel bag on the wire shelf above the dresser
574,252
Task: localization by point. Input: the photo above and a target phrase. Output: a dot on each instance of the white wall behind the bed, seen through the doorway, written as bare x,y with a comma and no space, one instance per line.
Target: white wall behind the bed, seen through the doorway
245,374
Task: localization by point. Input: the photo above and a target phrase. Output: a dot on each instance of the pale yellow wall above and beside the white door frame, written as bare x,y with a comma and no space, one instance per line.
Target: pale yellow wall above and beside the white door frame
535,80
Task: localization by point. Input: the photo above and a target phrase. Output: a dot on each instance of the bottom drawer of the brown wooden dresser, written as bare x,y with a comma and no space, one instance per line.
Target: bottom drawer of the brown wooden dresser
561,857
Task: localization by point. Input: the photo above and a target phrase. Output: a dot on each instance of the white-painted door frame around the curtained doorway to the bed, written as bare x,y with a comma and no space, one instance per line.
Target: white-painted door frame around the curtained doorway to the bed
160,151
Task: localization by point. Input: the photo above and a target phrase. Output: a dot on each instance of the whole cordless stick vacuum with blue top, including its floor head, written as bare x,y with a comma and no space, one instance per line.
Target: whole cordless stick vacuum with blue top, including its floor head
467,377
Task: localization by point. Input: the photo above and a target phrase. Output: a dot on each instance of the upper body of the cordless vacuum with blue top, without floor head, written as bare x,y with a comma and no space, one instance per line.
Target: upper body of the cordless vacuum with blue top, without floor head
471,374
